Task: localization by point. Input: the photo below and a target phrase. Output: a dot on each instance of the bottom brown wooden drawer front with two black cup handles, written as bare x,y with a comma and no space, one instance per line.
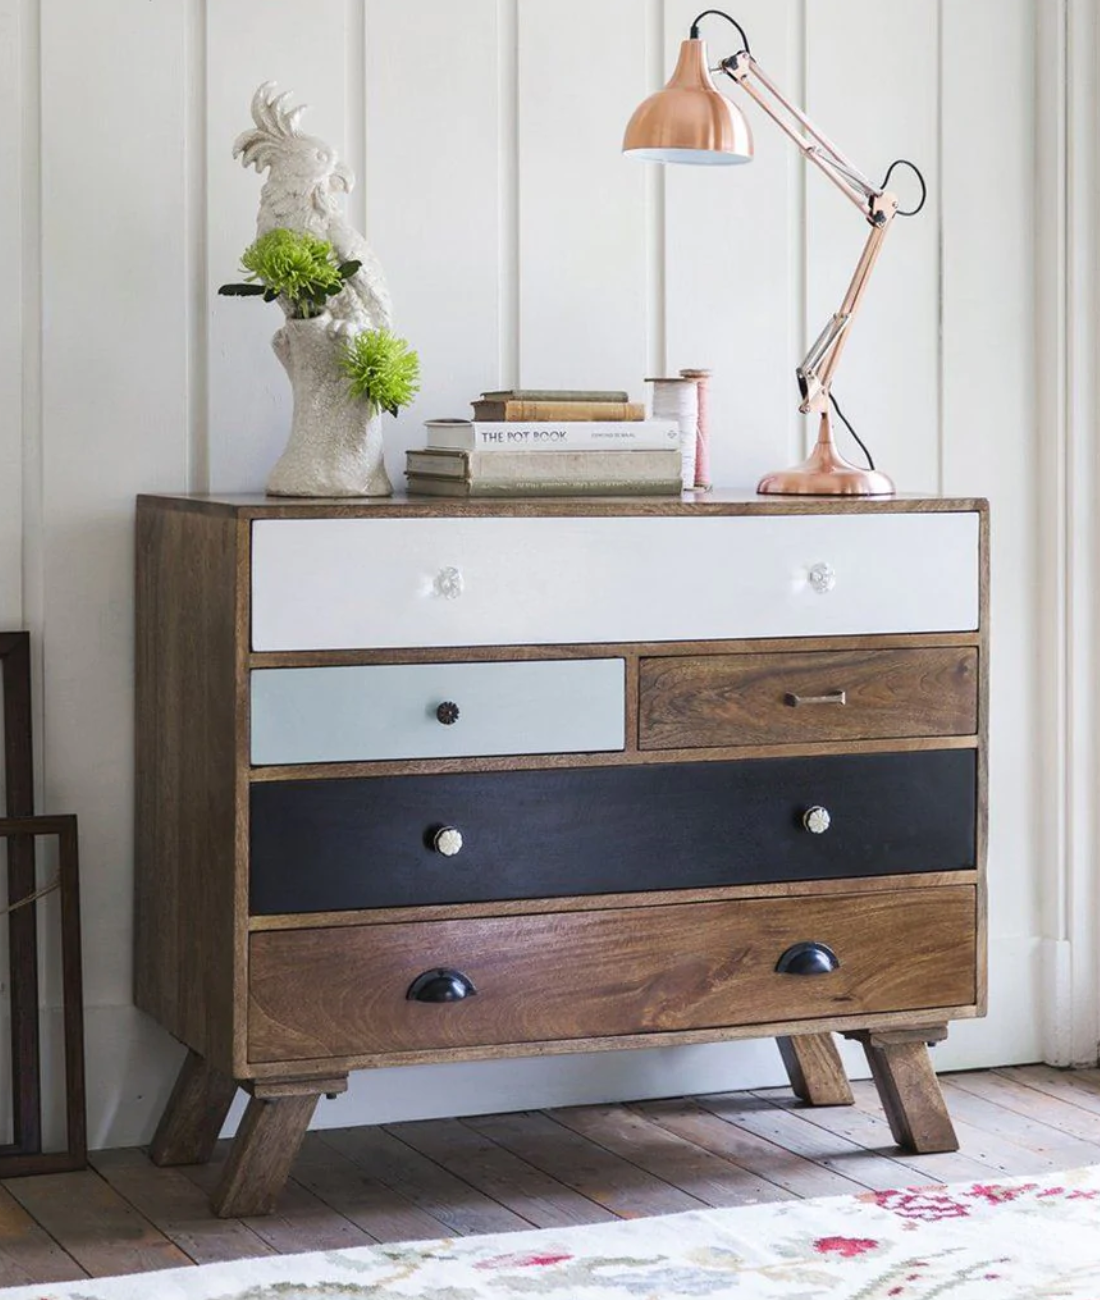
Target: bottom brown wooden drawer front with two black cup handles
319,994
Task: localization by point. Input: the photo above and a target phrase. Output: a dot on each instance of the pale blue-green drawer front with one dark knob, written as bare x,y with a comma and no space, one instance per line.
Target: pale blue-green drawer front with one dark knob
331,716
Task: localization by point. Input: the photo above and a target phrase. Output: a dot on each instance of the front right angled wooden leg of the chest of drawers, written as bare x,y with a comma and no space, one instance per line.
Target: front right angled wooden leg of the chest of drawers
908,1087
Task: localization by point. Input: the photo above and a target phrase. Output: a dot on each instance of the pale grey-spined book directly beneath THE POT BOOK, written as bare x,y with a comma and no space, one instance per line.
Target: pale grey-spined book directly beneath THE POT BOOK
564,466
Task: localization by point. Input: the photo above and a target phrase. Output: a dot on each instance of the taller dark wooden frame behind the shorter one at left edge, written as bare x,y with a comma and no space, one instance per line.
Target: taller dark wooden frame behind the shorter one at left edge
23,930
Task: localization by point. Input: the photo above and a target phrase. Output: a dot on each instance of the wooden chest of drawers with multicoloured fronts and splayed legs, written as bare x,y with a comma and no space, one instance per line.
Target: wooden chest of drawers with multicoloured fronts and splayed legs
422,782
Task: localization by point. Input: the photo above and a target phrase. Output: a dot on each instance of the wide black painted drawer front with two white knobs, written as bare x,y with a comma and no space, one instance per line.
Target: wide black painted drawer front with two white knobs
328,846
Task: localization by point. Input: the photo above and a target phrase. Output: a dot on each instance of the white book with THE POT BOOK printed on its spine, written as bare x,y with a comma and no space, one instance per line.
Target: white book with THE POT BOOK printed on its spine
496,436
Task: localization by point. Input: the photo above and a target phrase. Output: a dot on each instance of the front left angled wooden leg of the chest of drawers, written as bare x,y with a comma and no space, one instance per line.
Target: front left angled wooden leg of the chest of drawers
266,1146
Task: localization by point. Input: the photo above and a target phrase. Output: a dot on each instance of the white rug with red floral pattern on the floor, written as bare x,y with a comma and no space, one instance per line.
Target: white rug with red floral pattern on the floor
1004,1241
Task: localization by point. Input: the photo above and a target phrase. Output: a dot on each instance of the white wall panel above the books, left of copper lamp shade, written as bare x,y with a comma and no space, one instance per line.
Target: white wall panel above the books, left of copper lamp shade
582,205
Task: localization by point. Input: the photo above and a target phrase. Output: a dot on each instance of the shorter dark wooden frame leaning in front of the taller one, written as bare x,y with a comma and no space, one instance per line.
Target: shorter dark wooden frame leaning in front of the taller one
16,1163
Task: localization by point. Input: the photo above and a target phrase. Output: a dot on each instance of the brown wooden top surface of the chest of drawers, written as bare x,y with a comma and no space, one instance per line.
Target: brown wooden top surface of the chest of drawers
400,506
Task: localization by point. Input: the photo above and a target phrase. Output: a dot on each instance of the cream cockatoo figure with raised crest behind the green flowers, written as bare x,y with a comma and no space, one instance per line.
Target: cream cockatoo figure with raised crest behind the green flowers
302,193
